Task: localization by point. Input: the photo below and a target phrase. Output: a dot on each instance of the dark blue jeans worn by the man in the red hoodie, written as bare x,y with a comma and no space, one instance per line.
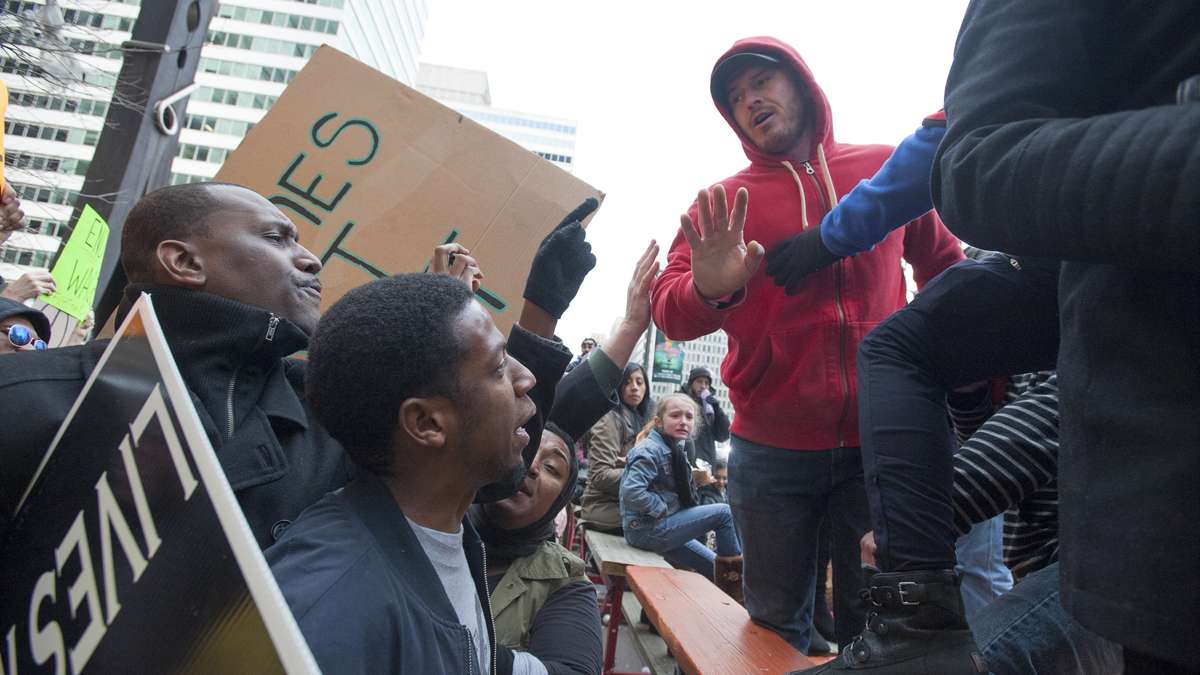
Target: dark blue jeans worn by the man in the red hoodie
779,499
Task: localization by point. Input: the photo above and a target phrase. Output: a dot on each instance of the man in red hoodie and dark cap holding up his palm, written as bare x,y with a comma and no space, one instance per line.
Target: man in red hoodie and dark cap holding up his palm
791,362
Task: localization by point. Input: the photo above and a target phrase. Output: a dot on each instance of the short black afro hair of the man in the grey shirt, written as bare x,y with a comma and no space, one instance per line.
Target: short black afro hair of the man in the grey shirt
382,344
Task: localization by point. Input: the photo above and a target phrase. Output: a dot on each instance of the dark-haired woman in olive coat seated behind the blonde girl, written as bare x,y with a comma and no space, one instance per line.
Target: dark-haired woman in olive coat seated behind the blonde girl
609,443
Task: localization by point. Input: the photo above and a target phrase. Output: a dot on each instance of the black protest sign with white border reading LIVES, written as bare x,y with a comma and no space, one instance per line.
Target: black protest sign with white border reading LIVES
129,552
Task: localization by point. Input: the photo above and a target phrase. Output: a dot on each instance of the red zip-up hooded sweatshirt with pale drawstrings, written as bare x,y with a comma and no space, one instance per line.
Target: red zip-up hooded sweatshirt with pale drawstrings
791,362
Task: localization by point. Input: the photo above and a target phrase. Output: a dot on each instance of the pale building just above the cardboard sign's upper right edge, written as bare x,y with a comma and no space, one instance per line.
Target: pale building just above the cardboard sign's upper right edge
469,92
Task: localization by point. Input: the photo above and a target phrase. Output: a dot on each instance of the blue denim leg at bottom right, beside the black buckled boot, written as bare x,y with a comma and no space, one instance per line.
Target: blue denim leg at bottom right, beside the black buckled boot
1027,631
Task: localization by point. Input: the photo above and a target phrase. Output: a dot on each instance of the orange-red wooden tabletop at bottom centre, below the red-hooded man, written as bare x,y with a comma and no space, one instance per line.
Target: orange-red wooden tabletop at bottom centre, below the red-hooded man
706,631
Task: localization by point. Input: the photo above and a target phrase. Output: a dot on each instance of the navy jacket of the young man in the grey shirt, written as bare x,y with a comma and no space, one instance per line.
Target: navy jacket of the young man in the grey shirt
365,595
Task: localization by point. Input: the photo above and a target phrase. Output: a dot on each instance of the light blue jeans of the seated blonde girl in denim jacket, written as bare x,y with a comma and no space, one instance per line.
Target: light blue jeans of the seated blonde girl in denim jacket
675,537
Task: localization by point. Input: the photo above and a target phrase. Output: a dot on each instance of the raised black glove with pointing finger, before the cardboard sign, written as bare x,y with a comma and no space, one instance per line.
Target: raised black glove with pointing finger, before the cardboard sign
562,262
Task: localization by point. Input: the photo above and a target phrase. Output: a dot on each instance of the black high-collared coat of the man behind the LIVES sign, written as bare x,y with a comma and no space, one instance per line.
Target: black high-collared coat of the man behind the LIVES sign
250,399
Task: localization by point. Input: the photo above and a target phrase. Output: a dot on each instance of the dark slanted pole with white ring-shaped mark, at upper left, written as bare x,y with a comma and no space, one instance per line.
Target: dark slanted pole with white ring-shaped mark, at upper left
141,134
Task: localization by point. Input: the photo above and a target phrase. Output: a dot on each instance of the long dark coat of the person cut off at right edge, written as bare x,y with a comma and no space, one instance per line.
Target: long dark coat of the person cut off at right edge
1066,141
